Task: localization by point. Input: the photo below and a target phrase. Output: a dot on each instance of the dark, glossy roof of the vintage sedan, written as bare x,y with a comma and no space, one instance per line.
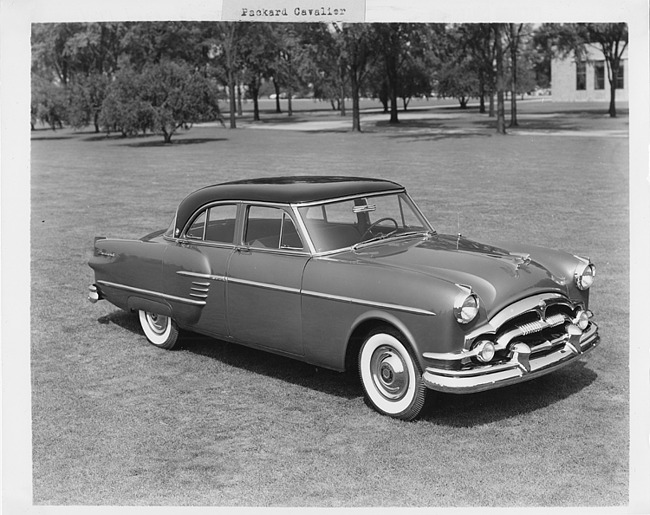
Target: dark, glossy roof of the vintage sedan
282,190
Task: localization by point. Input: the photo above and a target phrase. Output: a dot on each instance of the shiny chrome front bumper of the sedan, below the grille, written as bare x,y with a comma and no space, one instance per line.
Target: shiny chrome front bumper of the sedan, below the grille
519,367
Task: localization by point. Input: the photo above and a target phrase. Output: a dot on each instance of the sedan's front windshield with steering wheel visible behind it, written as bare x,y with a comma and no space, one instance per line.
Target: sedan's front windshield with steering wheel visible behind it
354,222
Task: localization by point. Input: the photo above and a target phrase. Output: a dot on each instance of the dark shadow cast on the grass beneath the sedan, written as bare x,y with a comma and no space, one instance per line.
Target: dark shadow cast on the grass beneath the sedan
441,409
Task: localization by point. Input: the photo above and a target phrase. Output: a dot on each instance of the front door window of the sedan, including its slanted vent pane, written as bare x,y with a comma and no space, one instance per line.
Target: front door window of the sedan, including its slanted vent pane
271,228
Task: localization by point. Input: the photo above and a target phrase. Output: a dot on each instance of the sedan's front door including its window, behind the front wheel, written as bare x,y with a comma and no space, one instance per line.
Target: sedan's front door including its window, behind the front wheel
265,280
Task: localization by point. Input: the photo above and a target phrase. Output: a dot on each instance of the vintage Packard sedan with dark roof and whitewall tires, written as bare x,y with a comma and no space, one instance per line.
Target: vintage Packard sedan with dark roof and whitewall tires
347,273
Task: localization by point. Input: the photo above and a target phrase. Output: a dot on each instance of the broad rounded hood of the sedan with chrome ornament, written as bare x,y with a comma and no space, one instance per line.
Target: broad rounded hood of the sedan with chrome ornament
497,275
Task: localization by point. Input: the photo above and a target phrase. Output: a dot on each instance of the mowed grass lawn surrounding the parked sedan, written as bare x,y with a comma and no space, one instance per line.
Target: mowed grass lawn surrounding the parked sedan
119,422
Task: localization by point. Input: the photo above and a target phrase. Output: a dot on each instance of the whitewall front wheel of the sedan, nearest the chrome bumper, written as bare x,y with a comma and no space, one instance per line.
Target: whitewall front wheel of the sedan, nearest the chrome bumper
390,377
